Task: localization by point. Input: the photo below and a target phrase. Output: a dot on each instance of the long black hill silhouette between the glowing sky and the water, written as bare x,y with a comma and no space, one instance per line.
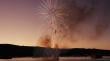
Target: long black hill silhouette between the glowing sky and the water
8,51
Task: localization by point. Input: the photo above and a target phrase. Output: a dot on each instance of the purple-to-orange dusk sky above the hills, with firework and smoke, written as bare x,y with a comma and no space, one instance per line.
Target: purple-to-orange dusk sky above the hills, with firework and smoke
78,23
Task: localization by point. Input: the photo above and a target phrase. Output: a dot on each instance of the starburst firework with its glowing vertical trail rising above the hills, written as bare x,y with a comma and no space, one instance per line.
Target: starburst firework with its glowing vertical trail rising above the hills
54,14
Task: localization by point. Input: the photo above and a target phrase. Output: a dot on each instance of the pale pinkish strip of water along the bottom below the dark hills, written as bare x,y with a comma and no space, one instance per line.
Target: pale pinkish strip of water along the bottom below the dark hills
61,59
